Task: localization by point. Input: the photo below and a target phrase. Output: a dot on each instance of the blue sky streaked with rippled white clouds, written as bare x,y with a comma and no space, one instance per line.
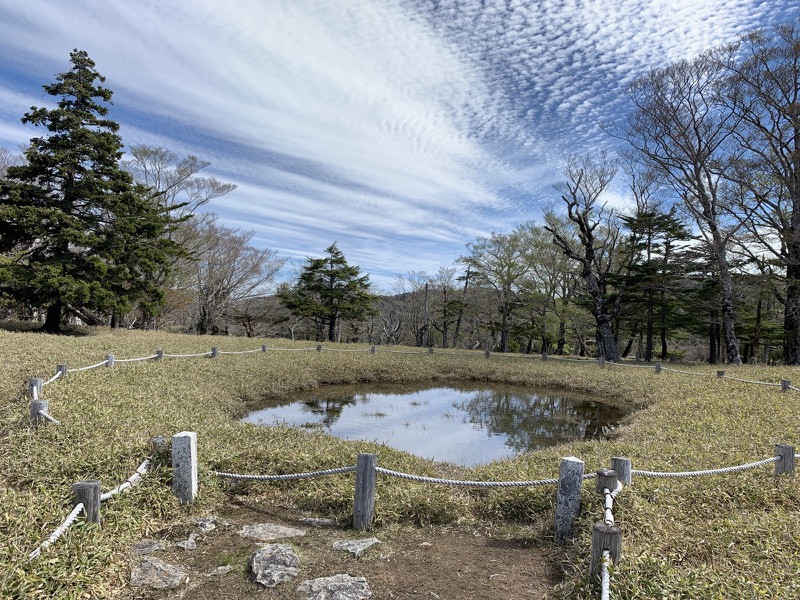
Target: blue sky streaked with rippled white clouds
402,130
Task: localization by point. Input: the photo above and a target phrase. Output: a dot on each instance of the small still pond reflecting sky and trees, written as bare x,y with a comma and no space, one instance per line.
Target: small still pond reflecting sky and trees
461,424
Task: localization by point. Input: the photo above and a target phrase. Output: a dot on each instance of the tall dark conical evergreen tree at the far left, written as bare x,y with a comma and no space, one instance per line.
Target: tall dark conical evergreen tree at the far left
78,233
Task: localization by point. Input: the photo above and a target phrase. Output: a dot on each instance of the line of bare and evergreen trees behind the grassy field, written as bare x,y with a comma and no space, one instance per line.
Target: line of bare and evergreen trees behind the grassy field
703,261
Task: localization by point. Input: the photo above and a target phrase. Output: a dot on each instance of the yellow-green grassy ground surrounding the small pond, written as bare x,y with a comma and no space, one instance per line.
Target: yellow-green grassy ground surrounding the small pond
732,536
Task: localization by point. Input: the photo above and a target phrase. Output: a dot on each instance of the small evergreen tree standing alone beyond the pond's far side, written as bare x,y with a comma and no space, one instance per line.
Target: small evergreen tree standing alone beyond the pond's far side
327,291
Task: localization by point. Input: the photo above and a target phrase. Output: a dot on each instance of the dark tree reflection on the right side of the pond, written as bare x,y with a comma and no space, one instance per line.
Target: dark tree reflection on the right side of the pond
530,421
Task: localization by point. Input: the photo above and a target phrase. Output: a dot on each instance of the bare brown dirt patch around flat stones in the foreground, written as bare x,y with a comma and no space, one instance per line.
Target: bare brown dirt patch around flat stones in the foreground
489,561
